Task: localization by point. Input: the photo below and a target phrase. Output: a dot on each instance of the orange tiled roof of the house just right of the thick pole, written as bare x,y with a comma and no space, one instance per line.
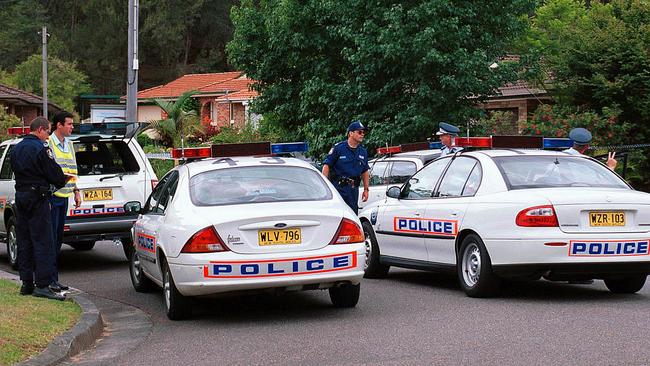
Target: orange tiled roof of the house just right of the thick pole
186,83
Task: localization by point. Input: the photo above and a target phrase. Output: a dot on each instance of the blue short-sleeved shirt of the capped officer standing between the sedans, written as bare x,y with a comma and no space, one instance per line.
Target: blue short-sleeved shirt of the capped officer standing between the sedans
345,161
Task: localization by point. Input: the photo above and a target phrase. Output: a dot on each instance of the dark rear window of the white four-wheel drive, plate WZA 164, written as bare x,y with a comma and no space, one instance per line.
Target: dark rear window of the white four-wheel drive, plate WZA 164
105,157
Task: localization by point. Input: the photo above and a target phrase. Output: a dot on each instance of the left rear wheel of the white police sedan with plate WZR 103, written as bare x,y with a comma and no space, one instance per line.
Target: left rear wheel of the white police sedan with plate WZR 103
475,268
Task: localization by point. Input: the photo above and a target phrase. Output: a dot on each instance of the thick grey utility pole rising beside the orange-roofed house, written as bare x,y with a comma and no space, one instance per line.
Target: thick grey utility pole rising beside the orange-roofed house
132,68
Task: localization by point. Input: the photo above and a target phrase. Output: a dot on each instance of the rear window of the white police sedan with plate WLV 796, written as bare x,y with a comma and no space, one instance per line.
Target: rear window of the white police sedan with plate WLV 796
257,184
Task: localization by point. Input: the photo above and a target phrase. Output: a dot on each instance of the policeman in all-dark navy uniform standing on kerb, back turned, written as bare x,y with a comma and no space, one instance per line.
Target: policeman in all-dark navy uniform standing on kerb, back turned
35,170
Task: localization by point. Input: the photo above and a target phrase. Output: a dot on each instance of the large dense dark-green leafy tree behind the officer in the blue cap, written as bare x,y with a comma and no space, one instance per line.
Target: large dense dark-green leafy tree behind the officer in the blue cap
398,67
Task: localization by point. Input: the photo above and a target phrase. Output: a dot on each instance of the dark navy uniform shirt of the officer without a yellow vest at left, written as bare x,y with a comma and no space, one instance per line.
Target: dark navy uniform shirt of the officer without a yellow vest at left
34,166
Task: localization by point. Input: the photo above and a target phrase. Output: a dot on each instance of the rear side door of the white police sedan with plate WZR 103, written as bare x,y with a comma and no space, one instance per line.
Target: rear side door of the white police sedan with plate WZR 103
447,209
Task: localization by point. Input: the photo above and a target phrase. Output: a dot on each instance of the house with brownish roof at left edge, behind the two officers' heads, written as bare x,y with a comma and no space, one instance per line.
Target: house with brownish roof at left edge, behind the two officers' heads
25,105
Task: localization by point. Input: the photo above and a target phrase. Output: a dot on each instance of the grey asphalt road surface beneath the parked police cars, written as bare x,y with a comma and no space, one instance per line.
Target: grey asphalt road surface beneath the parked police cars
411,317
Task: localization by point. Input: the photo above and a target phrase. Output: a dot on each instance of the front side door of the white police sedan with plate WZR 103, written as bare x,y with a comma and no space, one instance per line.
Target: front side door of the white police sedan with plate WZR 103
399,225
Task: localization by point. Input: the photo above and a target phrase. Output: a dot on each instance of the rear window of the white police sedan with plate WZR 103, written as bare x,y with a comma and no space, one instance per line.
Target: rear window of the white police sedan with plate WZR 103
521,172
